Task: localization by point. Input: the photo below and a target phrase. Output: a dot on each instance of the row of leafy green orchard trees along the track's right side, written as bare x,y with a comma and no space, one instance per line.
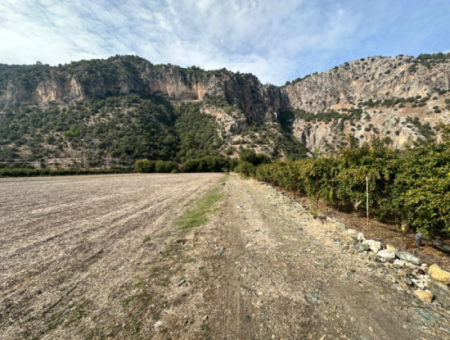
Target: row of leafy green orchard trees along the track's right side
411,187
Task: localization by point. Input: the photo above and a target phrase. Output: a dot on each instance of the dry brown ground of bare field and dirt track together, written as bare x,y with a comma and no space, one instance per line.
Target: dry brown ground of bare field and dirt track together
101,257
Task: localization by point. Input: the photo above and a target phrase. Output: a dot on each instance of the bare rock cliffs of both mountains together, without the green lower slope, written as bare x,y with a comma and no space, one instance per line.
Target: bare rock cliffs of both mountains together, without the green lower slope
401,99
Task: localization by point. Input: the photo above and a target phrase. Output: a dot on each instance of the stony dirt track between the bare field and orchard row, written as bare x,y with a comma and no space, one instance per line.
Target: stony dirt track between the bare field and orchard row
286,279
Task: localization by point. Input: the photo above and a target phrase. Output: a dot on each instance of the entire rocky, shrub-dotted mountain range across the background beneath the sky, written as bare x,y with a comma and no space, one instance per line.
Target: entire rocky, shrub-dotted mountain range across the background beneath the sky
113,111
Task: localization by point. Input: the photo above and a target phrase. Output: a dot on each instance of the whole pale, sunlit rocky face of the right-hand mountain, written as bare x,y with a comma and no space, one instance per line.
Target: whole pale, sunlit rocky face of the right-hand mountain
400,98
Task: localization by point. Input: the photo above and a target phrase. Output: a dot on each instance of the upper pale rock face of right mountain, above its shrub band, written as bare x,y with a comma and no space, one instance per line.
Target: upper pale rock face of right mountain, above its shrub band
371,78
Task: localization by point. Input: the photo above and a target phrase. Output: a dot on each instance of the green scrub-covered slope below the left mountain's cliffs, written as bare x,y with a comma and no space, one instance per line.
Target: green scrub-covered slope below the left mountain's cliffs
115,130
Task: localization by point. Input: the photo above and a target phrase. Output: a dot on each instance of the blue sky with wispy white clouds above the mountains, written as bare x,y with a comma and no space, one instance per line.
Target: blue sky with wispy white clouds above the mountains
275,40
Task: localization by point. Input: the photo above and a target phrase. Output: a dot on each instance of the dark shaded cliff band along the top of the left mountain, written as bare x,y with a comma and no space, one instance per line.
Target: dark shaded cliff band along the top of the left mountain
85,80
